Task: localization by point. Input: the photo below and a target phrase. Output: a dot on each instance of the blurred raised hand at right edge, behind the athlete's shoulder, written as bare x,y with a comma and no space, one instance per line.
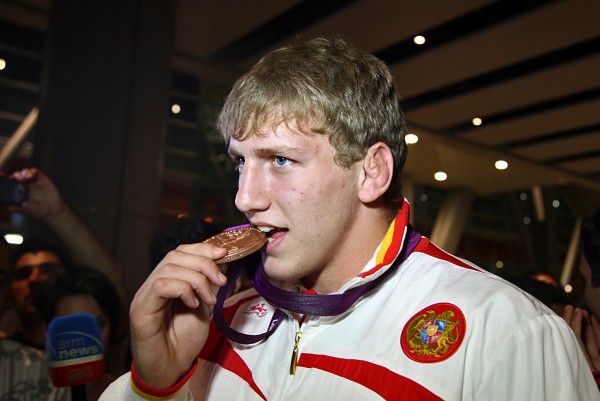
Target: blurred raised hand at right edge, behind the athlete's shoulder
587,330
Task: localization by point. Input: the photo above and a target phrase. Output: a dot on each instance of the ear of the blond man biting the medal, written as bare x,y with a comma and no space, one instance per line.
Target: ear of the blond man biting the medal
378,168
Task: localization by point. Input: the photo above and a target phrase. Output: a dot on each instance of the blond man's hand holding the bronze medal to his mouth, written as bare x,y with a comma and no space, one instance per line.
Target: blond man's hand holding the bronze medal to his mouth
171,312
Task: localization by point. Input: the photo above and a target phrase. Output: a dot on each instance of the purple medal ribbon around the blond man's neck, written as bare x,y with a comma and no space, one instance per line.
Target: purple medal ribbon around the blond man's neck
306,304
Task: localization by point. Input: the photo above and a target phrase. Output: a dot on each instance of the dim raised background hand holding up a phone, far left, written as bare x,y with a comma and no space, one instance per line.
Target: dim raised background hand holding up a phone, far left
43,199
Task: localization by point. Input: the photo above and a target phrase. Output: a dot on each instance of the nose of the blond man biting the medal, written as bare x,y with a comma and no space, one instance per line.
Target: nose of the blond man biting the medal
252,194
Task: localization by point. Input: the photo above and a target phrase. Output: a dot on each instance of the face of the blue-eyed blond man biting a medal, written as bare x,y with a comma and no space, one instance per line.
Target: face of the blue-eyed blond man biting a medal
289,181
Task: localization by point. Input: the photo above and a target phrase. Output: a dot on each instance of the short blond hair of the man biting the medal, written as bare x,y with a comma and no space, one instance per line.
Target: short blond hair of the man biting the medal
328,87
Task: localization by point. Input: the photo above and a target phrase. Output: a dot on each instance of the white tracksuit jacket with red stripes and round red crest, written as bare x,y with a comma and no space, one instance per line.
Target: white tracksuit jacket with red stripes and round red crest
438,328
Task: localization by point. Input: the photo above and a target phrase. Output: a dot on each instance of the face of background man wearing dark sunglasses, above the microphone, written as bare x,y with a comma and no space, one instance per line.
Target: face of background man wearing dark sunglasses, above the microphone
32,270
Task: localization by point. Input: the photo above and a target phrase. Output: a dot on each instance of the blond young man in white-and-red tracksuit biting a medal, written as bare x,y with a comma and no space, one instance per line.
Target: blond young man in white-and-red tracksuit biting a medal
350,303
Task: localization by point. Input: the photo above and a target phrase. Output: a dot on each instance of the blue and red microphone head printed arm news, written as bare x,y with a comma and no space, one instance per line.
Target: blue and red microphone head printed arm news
75,351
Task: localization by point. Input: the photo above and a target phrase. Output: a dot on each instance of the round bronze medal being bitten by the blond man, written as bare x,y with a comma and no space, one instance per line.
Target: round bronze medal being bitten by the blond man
239,242
